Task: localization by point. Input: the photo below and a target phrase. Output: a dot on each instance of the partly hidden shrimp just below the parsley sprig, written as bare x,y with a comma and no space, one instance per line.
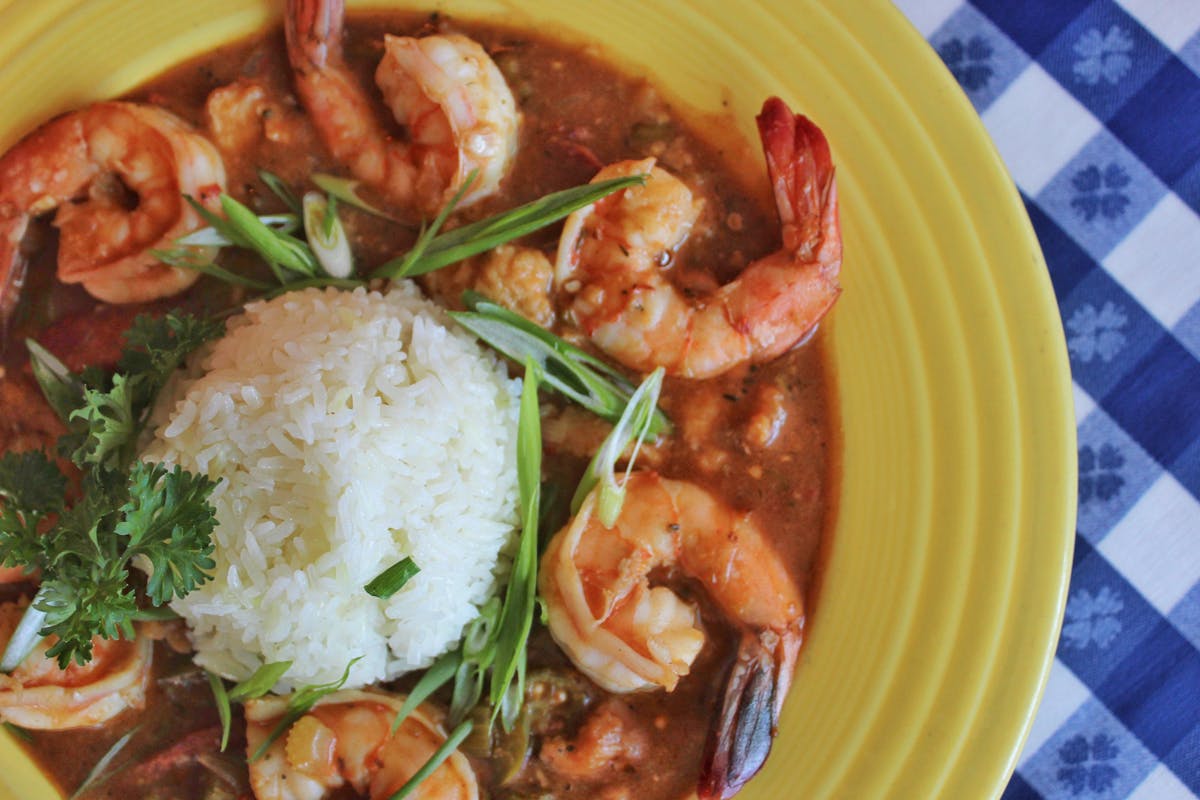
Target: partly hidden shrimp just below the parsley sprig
39,695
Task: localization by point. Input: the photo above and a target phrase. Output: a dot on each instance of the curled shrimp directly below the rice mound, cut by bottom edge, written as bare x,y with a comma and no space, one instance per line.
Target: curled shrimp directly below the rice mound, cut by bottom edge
347,739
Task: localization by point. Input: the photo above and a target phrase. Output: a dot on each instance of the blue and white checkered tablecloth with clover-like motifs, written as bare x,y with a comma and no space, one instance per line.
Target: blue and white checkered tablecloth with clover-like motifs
1095,106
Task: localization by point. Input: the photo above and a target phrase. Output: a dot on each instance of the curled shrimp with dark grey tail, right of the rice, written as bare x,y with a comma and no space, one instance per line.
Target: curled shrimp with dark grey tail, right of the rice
628,636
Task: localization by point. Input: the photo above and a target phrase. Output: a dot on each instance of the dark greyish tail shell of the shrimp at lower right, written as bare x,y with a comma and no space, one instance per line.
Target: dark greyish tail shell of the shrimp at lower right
741,738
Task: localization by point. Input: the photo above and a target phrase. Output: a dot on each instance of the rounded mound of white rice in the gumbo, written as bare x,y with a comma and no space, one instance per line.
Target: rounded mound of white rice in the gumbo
347,430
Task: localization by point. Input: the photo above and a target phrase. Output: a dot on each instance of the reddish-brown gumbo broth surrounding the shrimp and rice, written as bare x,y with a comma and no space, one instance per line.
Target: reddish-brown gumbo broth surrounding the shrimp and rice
758,437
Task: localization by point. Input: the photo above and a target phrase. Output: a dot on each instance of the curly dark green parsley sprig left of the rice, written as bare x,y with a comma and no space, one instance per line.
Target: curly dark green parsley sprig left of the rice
128,510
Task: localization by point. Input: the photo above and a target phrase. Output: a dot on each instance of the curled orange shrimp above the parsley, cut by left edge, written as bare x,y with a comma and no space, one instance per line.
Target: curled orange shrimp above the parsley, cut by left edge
86,165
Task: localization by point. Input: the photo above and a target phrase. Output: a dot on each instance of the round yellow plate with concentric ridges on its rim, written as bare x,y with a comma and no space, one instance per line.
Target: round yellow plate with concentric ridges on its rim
945,590
